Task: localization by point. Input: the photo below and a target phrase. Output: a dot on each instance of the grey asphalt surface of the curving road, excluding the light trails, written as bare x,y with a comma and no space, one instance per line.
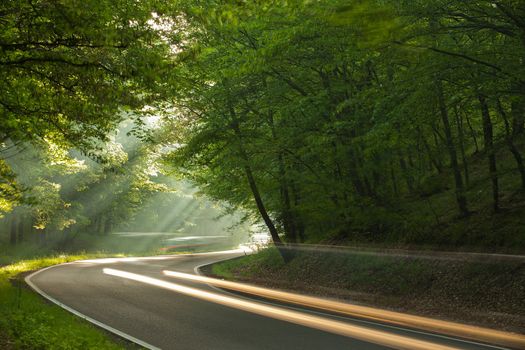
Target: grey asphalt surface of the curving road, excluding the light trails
168,319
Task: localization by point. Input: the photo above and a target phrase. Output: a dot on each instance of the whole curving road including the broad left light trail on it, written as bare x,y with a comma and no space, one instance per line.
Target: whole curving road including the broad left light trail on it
135,299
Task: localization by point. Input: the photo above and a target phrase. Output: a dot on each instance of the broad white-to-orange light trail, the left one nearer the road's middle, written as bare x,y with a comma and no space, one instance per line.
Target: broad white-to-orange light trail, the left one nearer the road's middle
320,323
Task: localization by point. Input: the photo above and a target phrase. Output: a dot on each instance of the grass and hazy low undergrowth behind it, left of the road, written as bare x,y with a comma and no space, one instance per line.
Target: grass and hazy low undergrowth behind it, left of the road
29,322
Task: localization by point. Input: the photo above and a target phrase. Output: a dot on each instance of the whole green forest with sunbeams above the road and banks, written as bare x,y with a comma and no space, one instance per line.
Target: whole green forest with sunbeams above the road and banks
348,122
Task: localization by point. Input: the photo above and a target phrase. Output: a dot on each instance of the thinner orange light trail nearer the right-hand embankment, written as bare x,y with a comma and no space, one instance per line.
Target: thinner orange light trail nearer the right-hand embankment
428,324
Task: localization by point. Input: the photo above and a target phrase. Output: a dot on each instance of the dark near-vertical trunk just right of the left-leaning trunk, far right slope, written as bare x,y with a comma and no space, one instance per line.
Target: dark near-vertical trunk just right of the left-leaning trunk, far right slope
489,150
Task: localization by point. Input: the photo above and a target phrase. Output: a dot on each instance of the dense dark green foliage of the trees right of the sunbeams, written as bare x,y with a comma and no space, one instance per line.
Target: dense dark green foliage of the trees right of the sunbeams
327,118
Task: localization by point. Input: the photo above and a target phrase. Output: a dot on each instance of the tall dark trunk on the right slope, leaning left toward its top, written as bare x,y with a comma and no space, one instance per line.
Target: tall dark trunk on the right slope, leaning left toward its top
459,189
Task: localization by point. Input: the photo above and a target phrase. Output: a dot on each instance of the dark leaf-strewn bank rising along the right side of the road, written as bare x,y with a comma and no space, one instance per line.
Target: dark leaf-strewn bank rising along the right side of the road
485,293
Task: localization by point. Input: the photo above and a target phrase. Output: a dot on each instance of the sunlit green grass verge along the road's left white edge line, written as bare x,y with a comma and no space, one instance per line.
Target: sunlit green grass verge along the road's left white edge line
28,322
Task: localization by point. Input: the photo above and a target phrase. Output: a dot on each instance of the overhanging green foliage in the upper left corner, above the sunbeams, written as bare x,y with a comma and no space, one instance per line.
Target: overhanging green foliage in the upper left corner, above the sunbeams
68,71
